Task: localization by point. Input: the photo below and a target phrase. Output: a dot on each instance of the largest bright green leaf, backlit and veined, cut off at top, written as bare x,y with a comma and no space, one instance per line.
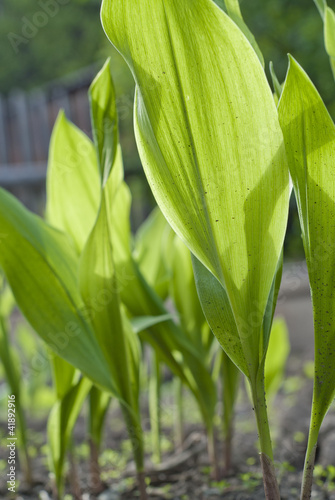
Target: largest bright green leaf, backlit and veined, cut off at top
210,143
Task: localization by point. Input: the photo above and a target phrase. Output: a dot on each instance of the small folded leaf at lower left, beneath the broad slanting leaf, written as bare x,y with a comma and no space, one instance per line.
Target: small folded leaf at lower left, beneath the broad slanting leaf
62,419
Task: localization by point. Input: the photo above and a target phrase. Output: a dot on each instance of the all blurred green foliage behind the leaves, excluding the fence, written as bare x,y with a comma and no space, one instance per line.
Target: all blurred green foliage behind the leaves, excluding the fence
72,37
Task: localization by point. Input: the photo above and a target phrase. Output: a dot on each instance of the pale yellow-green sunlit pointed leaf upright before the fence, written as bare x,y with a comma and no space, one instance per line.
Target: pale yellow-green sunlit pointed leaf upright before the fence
73,188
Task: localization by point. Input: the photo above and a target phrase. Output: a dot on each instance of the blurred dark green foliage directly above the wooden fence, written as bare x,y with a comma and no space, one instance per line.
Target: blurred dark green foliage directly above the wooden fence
41,40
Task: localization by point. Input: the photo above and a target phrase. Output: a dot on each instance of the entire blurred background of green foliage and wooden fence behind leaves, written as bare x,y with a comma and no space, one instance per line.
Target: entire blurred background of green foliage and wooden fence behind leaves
50,50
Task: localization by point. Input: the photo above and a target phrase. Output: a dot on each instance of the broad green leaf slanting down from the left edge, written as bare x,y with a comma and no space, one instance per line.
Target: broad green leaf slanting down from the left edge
44,284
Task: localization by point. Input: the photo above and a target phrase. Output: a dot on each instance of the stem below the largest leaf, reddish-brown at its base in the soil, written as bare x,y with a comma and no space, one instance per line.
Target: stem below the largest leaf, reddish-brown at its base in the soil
266,455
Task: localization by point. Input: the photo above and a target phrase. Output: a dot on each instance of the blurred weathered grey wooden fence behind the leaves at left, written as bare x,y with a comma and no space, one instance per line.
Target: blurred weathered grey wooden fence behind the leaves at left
26,121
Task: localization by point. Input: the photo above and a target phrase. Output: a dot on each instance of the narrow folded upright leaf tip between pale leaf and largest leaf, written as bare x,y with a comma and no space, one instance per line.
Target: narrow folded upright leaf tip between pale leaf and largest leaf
104,120
